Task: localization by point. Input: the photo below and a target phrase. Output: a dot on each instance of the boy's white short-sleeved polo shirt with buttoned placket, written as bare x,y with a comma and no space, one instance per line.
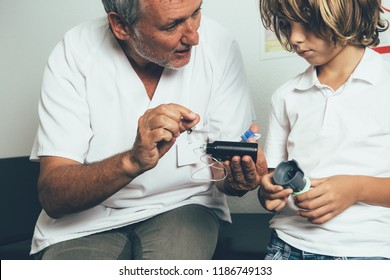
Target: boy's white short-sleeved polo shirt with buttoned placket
333,133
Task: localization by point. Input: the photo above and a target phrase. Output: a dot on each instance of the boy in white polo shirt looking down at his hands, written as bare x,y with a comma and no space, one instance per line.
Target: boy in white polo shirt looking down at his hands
334,120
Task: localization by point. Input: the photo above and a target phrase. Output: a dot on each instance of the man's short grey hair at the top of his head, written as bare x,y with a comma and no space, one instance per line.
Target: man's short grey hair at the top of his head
129,10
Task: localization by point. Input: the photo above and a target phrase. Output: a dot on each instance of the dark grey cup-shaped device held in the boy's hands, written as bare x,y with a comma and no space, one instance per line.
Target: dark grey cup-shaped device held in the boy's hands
288,174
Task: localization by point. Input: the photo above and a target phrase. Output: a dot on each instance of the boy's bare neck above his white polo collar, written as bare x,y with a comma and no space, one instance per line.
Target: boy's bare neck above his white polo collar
337,71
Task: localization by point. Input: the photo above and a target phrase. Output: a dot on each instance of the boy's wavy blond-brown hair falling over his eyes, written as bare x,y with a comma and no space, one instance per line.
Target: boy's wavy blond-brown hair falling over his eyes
356,22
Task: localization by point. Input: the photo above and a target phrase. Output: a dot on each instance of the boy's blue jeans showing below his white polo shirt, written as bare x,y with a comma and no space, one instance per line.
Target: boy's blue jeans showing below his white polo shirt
280,250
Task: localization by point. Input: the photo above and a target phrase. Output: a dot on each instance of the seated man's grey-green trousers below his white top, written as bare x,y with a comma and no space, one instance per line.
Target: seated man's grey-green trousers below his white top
188,232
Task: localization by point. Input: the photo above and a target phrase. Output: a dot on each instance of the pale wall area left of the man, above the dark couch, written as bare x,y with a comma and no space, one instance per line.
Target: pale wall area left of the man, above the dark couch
29,30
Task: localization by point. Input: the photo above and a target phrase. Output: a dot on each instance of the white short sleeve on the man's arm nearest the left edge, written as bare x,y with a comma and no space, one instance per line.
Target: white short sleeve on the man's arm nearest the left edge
64,127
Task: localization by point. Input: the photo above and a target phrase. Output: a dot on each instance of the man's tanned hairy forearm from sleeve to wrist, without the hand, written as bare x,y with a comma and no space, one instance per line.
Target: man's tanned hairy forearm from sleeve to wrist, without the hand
65,189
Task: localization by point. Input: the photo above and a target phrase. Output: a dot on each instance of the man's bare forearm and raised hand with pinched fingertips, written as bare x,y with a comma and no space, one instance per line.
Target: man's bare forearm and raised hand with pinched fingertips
66,186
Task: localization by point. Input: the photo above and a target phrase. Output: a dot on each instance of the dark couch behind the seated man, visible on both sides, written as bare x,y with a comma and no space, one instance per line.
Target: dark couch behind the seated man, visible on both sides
245,238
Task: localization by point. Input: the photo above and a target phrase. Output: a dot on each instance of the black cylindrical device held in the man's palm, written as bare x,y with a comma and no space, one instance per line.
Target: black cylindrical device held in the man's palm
225,150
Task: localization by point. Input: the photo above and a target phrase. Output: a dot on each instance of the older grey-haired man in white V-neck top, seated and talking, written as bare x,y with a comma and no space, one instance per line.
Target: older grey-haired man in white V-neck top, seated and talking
119,178
